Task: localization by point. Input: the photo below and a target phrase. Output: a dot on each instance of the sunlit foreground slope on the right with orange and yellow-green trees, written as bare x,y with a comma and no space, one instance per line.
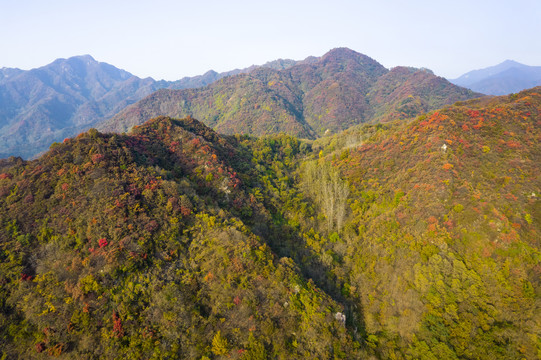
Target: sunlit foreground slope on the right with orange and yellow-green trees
443,251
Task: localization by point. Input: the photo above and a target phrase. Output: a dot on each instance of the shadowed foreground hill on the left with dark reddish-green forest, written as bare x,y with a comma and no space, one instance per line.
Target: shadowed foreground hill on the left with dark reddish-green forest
145,246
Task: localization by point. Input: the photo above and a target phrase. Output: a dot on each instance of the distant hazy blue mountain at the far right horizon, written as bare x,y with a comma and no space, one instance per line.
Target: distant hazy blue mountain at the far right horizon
505,78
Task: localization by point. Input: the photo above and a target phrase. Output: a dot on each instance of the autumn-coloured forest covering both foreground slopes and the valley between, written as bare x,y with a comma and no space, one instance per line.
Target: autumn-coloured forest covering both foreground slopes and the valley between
405,240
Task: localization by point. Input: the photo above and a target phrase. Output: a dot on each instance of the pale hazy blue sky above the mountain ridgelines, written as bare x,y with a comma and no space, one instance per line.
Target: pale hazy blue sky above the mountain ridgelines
167,39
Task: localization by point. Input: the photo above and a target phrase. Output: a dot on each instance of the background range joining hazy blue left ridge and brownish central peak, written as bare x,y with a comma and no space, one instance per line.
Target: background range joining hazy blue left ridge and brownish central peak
305,98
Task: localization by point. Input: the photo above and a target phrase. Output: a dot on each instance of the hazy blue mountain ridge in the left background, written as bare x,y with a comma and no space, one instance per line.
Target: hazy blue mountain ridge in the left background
59,100
